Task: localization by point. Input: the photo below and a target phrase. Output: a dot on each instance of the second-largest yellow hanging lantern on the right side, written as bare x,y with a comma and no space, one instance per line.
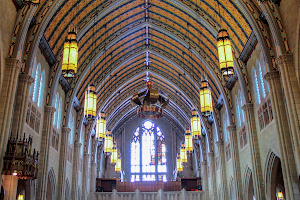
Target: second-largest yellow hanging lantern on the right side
205,99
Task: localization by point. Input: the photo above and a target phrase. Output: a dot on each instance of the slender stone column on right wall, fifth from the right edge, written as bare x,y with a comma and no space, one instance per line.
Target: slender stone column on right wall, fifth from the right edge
222,164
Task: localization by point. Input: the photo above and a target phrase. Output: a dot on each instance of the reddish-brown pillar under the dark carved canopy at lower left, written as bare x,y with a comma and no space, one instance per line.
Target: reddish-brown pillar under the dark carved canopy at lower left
10,184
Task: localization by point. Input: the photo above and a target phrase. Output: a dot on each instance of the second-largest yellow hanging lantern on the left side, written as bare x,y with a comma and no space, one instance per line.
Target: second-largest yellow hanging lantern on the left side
90,103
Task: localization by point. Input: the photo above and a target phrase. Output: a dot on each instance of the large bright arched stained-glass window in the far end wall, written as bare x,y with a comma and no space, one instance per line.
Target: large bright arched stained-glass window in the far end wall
148,154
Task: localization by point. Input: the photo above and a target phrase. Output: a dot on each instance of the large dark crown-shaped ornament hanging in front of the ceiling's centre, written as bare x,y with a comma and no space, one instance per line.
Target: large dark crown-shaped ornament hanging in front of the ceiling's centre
150,102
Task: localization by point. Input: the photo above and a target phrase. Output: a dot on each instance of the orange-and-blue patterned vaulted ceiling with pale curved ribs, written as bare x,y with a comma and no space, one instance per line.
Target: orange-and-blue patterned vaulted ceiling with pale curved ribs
177,37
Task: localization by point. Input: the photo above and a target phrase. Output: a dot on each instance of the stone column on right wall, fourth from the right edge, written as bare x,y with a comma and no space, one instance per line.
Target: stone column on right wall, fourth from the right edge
235,162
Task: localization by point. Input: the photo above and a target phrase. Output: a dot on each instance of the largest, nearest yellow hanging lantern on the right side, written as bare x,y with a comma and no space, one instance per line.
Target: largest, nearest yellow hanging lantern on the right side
225,54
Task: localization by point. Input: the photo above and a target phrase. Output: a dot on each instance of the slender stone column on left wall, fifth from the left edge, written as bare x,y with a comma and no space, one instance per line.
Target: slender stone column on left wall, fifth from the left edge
76,163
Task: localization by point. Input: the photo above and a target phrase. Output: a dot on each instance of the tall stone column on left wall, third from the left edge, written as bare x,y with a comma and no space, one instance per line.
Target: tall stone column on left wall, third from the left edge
44,152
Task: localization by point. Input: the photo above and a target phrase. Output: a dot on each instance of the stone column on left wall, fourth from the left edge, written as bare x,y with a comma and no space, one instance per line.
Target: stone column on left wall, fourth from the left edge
63,162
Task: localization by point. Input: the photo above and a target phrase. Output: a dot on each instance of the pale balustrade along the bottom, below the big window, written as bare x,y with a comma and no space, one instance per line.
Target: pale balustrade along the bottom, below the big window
159,195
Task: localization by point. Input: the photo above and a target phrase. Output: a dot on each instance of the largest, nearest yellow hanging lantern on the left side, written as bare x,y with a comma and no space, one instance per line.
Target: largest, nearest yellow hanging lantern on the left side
70,56
